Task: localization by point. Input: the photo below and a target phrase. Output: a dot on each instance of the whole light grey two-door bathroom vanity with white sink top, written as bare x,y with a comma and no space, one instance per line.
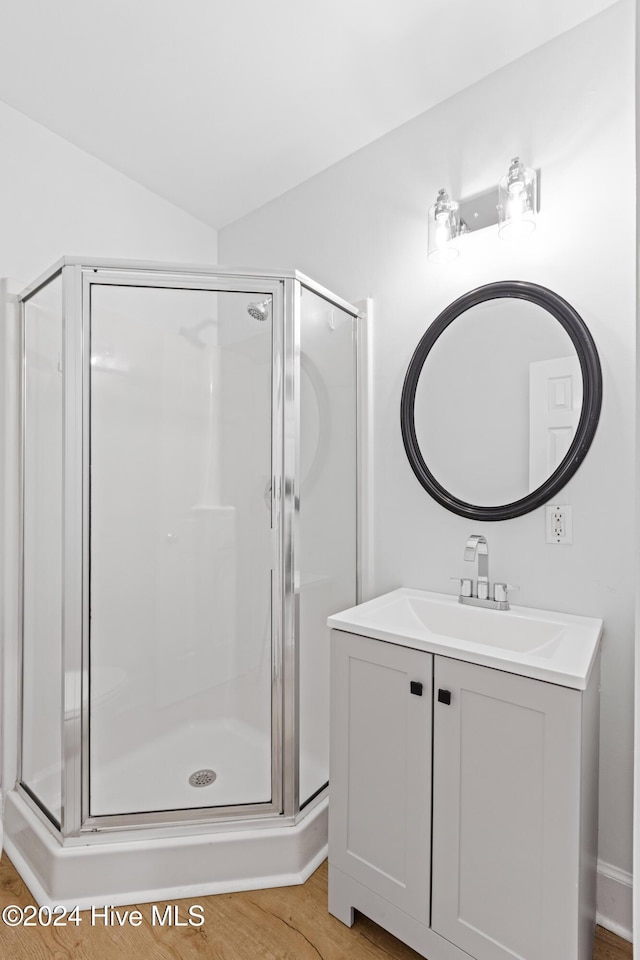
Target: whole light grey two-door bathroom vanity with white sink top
464,776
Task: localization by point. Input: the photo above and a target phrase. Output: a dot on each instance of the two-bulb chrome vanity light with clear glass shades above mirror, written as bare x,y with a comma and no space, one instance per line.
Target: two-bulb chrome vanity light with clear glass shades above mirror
512,206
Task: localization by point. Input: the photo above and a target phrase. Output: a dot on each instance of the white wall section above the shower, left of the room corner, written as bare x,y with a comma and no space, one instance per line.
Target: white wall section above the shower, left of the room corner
56,199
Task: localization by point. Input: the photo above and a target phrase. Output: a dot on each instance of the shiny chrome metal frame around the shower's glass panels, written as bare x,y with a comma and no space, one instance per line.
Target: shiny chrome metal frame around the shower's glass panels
285,286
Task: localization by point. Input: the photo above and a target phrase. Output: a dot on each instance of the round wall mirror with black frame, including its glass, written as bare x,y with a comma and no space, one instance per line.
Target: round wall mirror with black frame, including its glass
499,407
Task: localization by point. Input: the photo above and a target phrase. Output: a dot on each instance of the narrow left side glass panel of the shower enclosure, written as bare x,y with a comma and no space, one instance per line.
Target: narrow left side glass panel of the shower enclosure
42,547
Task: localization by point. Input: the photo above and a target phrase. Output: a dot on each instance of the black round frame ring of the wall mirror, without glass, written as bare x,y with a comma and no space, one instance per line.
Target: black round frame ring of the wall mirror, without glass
591,398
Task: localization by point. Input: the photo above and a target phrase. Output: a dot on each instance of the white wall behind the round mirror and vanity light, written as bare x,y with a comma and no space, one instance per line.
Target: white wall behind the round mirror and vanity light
360,228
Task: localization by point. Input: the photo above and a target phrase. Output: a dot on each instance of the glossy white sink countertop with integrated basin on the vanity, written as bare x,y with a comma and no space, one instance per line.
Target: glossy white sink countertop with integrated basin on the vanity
556,647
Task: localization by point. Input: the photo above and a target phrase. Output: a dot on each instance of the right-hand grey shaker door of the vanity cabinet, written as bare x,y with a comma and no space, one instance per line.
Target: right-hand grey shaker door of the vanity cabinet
506,813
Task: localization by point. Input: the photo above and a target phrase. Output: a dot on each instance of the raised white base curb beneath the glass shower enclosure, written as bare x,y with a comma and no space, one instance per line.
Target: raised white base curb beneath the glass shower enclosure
153,869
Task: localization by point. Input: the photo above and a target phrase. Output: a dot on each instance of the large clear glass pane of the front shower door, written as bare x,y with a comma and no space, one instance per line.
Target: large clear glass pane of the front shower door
180,639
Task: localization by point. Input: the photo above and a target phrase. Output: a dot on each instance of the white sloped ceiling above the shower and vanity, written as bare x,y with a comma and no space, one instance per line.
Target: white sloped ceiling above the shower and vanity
221,105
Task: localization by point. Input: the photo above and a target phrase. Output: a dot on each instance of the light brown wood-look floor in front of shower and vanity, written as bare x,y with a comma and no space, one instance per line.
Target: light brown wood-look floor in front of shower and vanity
286,923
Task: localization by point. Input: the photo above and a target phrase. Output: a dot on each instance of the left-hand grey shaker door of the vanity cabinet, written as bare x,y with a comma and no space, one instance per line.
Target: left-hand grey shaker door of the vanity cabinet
380,768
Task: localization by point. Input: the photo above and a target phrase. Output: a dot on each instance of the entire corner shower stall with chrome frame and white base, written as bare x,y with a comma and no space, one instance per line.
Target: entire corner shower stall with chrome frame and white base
188,521
